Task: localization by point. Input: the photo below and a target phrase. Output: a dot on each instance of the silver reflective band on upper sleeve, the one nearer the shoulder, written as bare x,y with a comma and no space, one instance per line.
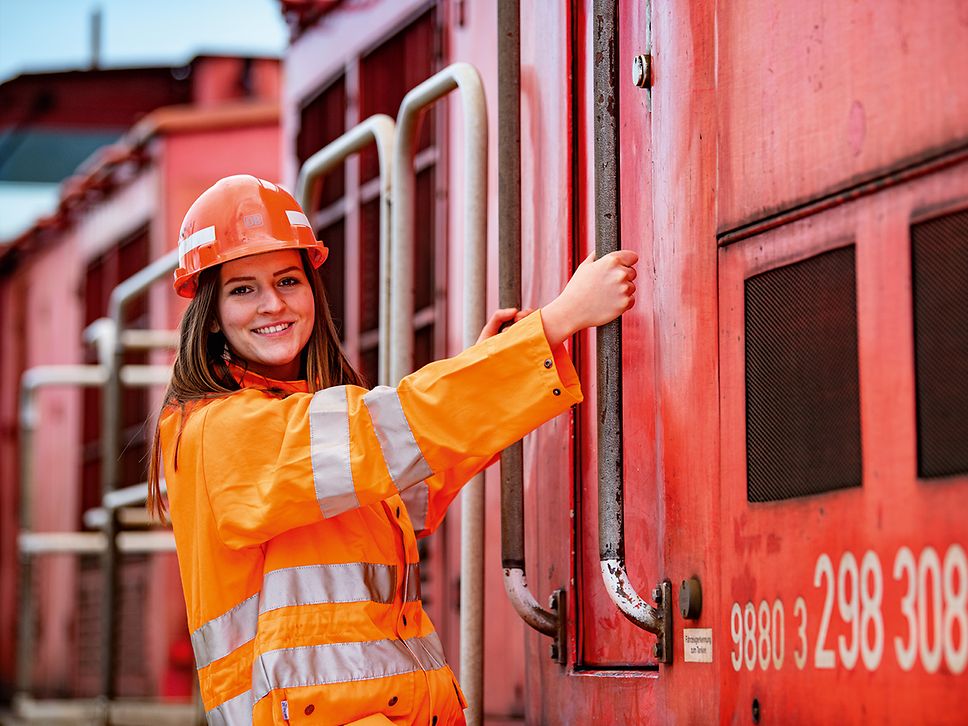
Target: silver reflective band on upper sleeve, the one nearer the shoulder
329,439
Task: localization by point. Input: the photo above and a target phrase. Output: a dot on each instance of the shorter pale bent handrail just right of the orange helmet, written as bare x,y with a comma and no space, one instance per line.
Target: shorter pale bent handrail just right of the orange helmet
378,129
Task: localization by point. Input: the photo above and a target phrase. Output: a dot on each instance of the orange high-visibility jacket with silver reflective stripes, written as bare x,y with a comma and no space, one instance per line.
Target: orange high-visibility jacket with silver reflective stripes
296,517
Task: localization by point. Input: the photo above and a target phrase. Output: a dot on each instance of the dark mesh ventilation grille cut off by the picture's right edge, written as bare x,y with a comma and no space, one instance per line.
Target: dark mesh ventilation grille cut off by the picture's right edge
940,271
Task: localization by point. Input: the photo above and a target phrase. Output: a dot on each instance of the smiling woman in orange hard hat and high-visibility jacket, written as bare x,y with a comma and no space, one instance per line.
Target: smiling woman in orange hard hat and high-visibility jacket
296,495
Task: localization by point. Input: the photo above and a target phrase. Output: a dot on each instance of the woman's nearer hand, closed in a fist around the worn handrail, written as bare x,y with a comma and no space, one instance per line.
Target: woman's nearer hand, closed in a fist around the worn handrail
598,292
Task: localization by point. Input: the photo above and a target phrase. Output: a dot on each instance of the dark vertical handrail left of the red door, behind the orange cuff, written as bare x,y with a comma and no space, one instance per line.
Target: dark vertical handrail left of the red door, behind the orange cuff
509,275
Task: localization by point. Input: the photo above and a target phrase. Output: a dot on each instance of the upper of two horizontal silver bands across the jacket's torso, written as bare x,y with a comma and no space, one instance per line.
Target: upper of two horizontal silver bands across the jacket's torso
314,584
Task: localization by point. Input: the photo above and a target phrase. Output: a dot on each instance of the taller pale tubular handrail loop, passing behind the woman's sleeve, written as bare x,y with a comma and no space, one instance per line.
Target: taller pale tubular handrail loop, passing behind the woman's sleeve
463,77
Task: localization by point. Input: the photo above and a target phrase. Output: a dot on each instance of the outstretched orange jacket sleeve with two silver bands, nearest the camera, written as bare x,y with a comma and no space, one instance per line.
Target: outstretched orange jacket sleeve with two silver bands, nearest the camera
271,465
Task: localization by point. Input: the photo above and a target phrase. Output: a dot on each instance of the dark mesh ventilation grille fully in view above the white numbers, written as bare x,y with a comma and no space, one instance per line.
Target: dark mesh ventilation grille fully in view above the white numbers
802,395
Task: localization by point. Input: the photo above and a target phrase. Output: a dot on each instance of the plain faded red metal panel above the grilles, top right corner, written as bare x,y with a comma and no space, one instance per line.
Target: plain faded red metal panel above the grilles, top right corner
816,96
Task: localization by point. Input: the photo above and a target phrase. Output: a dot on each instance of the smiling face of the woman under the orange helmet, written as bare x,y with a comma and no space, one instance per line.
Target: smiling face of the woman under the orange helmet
266,311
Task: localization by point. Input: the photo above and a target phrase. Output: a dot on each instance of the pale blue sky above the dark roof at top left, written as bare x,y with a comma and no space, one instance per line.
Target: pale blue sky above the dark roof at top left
40,35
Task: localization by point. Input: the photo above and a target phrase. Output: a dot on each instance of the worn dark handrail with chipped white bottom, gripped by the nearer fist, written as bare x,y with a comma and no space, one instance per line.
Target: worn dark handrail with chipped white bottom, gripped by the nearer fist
611,510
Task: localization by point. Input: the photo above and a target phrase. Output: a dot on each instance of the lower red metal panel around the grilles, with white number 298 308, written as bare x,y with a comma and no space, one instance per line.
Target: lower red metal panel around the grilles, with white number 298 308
831,630
